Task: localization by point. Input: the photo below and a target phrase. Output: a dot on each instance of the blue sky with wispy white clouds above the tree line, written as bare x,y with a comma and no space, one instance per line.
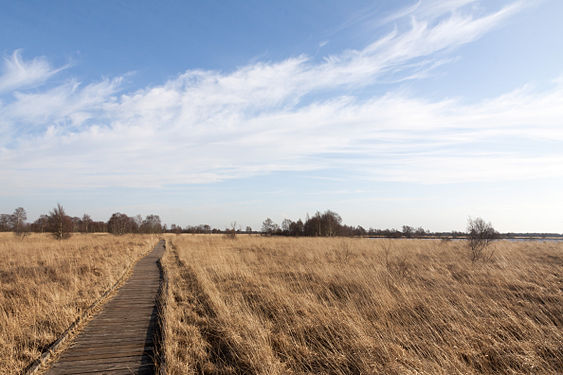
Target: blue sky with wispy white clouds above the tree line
391,113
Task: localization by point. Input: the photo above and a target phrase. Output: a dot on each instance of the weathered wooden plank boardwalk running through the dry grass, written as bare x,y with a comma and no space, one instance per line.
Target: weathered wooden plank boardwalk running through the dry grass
120,339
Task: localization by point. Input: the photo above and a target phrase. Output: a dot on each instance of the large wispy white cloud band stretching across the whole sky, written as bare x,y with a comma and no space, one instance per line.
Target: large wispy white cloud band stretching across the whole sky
205,126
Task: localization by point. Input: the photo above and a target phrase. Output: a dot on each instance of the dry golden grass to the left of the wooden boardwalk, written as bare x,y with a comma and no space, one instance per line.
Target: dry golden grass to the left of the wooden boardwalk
45,284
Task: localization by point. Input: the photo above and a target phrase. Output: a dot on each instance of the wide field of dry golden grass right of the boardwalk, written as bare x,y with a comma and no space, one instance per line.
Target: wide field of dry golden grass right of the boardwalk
359,306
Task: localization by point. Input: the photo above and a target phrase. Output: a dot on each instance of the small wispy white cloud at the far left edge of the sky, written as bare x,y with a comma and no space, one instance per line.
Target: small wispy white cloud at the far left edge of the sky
18,73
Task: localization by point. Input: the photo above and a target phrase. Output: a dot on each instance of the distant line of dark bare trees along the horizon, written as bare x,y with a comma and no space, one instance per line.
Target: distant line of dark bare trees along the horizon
321,224
